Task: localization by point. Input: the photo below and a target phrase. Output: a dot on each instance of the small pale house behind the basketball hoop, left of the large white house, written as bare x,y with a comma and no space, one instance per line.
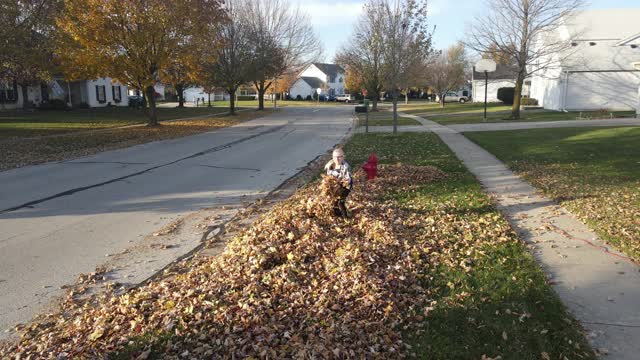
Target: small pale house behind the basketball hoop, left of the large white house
504,76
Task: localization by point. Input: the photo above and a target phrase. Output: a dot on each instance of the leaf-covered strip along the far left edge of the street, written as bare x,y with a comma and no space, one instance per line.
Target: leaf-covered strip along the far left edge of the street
19,152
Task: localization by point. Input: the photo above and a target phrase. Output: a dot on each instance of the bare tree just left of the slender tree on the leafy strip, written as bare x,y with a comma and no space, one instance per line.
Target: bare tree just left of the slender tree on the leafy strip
363,56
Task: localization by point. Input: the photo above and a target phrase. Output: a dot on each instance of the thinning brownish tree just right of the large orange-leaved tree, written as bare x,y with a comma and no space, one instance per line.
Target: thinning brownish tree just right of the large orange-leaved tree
232,62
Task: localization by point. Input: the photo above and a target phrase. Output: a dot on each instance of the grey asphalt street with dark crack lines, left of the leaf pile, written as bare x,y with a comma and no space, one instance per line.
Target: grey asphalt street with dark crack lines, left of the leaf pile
58,220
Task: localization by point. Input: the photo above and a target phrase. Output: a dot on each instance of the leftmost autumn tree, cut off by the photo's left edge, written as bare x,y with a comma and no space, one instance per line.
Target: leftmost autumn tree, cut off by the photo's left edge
26,28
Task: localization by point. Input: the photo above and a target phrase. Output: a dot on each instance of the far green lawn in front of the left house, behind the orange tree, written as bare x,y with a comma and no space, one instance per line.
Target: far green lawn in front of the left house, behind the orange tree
16,124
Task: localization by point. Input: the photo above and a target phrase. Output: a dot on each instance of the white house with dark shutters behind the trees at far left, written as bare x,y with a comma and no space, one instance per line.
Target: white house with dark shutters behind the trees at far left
93,93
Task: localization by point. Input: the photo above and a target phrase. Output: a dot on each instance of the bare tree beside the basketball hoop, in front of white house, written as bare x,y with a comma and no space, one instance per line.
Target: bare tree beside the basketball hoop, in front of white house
523,30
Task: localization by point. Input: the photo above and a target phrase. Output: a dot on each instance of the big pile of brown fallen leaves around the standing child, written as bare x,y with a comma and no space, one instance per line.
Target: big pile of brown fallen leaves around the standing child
299,283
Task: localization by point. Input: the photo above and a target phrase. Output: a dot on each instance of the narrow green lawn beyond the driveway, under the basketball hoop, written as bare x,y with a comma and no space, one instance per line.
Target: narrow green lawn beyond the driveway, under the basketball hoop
533,115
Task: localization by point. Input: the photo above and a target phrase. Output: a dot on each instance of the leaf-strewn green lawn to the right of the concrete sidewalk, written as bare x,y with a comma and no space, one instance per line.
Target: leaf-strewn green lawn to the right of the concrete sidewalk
595,173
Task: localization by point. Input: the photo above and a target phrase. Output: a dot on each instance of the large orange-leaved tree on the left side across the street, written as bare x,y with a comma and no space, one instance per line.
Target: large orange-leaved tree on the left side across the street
132,41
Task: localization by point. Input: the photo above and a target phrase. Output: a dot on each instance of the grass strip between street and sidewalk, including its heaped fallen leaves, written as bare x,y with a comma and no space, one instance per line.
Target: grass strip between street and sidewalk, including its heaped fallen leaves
424,267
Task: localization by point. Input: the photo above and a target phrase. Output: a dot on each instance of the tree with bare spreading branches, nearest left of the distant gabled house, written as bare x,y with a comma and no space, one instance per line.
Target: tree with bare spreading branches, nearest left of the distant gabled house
282,40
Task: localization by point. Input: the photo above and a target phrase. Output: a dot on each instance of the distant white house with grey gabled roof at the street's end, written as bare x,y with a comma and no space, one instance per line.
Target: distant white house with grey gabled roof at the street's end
327,77
